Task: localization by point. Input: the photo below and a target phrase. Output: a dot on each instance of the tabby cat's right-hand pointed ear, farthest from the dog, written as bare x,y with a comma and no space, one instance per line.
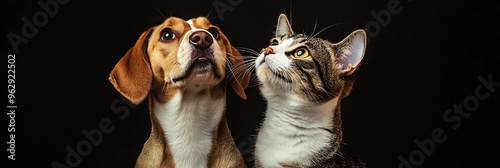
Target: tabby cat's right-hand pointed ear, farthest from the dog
350,51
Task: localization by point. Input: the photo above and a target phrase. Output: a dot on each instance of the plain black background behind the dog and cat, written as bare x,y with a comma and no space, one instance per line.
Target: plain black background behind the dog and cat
427,58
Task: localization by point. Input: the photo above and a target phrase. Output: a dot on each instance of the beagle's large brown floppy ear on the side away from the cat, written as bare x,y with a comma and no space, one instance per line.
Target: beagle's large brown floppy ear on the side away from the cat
132,75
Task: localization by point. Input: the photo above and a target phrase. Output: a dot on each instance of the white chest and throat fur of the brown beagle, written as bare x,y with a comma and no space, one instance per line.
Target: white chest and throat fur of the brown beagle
189,124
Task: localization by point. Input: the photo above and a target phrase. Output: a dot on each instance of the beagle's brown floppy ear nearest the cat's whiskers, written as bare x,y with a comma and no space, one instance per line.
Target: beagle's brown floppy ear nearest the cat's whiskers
241,75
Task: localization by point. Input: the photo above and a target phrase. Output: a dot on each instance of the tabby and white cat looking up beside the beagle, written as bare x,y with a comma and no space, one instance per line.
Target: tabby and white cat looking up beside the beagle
303,78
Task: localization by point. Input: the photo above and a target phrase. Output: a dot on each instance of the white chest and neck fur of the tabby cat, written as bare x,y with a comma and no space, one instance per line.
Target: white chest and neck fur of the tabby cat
293,132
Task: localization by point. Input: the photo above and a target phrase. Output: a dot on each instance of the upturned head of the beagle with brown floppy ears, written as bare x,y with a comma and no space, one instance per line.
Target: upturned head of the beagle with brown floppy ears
179,54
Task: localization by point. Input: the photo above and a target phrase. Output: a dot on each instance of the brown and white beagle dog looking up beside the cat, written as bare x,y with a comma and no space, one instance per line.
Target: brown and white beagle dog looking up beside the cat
181,66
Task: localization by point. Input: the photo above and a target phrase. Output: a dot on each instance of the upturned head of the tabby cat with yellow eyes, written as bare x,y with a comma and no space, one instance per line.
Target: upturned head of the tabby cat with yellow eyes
308,67
